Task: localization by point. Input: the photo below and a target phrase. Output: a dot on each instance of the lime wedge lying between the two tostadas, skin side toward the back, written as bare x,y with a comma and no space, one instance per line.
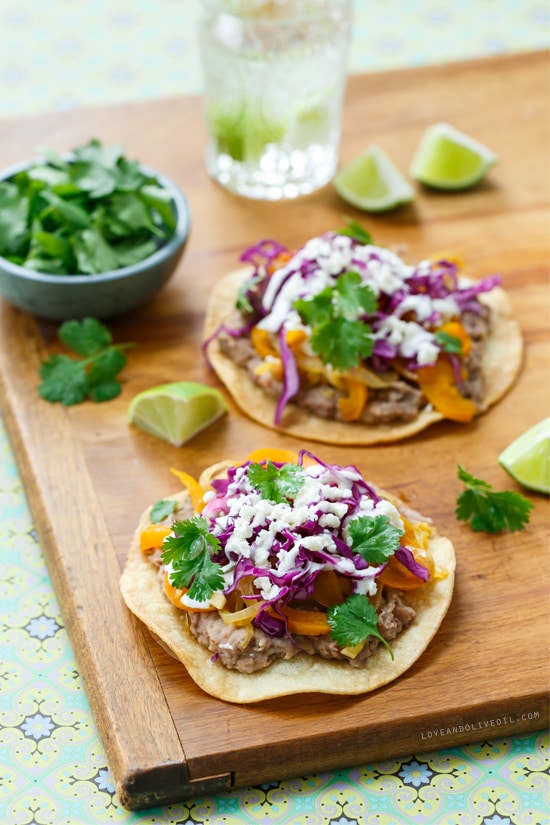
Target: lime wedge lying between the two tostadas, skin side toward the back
176,412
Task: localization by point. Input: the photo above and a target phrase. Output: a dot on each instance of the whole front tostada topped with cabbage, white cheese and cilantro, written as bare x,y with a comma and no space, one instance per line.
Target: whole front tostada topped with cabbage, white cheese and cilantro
284,574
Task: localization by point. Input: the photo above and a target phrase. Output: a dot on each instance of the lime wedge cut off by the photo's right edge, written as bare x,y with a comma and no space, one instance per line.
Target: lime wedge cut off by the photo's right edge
527,459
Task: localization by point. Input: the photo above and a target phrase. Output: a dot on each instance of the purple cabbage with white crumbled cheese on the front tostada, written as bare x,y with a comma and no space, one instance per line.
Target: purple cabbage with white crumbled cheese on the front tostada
287,545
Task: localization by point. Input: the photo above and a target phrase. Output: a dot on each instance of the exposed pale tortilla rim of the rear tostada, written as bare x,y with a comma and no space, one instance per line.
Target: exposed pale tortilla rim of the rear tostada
502,360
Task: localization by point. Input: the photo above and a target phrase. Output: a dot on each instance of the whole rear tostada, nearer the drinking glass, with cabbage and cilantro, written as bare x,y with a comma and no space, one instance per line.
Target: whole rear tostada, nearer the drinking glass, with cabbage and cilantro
344,342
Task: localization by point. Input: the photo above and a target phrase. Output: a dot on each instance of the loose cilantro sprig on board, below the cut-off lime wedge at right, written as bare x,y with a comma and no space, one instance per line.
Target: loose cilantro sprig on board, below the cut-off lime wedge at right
489,511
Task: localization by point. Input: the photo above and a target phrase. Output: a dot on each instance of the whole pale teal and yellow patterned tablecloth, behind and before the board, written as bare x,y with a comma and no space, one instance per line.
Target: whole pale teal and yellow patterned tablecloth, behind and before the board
53,769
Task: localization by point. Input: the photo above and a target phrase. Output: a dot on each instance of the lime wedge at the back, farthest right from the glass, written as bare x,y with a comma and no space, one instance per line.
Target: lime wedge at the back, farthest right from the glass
448,159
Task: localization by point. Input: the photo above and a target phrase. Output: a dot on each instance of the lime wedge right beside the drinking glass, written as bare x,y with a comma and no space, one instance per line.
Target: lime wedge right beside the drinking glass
371,182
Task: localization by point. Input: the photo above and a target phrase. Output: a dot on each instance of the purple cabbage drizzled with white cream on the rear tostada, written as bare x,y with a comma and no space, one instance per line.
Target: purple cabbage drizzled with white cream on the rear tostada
323,260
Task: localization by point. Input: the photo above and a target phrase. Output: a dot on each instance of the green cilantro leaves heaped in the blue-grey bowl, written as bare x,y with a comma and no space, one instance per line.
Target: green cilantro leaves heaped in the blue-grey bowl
92,212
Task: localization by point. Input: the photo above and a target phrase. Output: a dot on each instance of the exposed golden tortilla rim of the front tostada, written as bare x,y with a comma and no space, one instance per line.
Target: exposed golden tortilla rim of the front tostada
304,673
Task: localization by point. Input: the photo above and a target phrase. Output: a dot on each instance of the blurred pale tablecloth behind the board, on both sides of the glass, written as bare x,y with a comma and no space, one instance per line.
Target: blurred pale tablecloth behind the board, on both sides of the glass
61,53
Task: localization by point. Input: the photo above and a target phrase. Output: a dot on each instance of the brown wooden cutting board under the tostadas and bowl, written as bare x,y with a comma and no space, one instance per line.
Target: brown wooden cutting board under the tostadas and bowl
88,475
